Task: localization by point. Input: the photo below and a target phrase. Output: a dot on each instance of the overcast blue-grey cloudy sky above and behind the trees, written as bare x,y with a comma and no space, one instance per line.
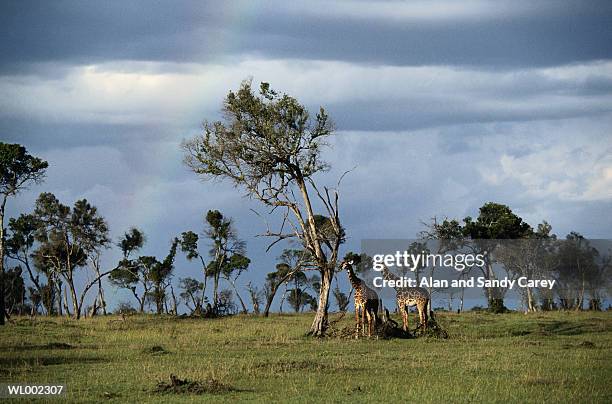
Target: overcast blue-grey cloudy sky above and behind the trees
440,106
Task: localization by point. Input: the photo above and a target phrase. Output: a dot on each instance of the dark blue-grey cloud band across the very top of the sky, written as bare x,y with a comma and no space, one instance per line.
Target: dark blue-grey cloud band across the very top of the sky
91,32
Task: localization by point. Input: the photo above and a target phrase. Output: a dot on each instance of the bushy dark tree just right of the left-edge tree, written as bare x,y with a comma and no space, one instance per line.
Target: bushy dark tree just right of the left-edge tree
69,238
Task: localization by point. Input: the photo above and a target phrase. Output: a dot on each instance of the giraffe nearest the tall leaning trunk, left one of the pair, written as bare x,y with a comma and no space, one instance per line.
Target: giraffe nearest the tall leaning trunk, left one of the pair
366,301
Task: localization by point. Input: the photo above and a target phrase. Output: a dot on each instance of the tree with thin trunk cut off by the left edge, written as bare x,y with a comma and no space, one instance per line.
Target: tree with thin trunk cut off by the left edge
18,169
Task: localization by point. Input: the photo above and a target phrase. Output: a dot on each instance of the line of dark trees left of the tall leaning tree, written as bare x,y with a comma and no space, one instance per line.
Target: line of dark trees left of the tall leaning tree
55,245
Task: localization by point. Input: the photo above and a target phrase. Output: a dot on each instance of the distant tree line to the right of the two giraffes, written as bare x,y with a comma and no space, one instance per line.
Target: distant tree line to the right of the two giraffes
580,270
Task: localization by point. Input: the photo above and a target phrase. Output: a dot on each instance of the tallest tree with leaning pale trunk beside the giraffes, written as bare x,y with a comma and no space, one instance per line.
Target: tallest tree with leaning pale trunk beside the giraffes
270,146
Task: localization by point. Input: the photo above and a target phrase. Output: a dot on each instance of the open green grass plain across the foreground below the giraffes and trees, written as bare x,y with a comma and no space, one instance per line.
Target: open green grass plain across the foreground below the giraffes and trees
547,357
